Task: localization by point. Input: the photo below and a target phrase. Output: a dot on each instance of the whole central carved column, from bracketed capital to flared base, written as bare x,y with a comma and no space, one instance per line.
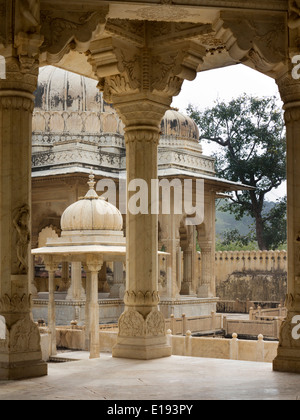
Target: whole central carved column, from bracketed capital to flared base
139,73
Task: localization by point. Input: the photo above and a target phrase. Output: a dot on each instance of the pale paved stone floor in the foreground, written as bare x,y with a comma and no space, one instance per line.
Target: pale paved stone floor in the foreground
174,378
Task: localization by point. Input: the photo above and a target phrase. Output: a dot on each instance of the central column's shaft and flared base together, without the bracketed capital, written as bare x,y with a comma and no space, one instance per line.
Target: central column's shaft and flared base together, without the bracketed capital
142,326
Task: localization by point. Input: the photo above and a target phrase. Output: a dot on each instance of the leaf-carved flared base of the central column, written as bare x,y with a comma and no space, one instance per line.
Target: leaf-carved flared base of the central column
142,338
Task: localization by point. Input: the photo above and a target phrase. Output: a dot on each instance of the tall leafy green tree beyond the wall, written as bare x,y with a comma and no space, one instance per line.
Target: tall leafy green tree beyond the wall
251,134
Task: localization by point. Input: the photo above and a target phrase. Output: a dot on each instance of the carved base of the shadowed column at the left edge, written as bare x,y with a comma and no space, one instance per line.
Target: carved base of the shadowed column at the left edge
20,351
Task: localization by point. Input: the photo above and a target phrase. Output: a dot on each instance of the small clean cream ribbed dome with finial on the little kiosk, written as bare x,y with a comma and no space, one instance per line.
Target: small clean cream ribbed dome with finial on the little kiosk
91,213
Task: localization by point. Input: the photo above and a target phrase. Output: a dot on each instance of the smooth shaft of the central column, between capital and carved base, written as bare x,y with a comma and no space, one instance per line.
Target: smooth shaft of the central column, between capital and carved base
141,239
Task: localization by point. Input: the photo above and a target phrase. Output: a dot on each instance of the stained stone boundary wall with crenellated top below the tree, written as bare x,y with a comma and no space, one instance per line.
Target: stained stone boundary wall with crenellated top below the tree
259,276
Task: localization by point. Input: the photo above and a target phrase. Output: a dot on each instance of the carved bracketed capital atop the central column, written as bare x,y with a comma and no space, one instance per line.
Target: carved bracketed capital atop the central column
137,63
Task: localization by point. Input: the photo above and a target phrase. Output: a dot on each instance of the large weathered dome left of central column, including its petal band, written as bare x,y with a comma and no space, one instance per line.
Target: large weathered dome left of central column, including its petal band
67,104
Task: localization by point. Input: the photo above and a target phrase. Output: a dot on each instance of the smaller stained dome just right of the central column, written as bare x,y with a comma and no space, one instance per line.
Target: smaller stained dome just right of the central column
176,125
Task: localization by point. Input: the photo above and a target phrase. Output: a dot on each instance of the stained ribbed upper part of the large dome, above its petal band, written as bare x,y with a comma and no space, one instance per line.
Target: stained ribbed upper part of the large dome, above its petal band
60,90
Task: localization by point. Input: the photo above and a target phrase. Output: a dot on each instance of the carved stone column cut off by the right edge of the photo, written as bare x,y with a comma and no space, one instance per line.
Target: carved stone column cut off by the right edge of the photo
288,358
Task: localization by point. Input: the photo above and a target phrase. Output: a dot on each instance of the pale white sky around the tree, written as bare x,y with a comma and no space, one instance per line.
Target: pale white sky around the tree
223,85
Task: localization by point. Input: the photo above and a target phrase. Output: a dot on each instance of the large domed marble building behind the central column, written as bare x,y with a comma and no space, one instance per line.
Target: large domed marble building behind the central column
75,132
